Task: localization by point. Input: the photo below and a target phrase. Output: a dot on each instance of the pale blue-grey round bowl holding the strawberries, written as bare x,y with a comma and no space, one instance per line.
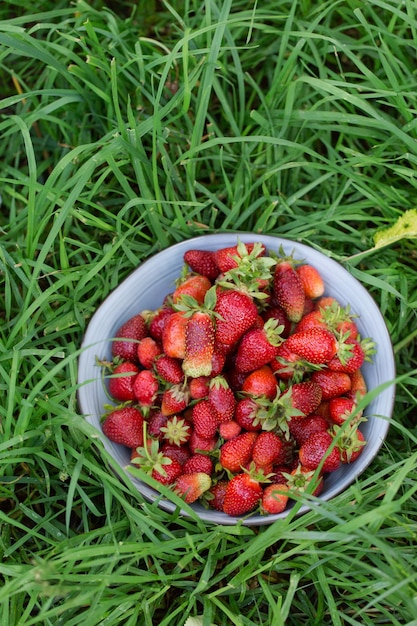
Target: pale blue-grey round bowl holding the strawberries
146,287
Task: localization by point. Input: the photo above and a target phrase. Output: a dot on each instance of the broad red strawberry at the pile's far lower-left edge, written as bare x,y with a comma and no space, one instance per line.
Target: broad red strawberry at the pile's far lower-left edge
124,426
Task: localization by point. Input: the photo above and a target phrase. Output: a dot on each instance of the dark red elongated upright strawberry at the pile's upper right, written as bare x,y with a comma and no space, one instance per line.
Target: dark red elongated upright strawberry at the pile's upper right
288,291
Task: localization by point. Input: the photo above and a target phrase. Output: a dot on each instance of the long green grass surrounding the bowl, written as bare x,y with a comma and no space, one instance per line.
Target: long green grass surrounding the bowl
125,128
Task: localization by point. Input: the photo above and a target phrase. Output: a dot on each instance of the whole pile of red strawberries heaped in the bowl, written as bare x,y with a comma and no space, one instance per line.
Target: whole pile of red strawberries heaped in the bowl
241,390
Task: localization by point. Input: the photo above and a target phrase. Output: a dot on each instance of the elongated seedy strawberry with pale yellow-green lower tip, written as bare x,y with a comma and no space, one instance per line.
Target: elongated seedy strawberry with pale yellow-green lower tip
199,345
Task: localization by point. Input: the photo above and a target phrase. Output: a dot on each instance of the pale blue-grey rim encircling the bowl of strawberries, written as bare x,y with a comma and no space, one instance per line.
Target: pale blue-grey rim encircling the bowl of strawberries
222,240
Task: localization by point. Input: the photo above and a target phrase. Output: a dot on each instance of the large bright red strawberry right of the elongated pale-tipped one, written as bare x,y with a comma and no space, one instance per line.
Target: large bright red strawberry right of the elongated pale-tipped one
236,313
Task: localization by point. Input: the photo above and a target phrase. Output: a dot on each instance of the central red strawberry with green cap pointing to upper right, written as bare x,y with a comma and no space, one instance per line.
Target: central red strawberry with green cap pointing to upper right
258,346
